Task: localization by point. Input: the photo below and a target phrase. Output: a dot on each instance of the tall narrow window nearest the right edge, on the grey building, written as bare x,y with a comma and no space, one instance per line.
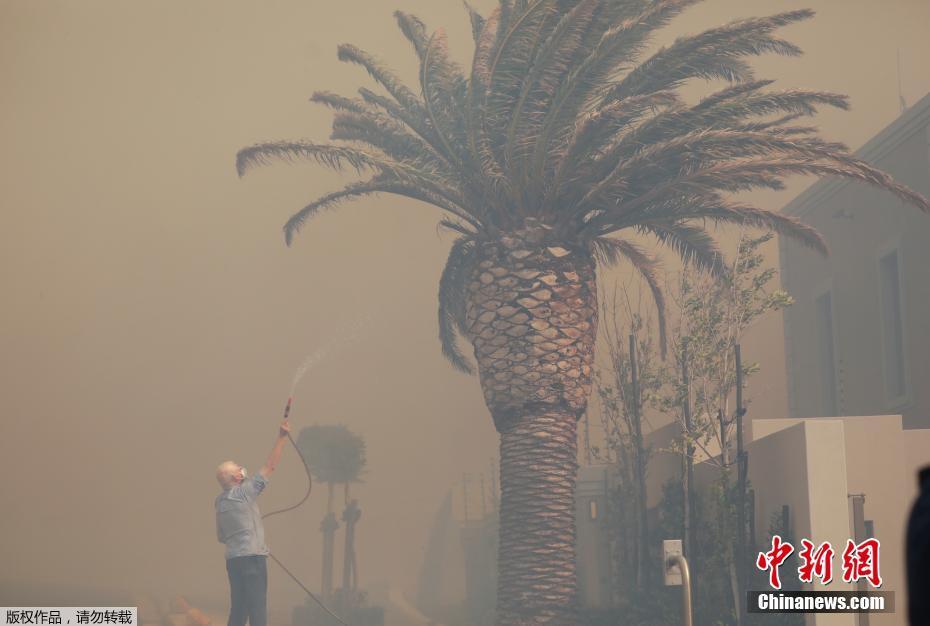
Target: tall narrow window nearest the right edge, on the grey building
889,270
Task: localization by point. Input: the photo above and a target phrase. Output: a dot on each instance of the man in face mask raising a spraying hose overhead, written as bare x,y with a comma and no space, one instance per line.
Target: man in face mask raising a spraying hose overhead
239,526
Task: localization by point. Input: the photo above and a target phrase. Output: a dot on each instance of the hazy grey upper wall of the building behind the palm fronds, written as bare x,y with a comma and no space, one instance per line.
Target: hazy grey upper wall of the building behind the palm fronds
860,224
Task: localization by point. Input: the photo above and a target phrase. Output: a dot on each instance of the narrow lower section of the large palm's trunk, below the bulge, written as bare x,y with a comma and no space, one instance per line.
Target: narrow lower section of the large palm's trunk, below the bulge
536,559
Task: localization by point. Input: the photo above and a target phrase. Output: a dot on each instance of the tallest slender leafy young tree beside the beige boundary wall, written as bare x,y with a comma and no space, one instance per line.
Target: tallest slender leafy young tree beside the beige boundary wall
714,315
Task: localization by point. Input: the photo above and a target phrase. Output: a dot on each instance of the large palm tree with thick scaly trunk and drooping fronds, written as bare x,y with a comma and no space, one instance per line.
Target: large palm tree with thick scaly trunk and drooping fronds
559,137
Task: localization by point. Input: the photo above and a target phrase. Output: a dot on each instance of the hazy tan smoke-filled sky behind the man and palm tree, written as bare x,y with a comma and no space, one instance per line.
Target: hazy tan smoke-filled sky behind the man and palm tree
153,318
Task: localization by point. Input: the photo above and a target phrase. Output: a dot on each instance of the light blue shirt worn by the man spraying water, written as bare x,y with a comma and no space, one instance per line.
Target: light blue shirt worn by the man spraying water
238,520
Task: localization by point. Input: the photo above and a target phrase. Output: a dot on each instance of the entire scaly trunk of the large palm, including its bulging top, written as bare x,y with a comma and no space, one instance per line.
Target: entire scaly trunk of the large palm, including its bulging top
531,314
